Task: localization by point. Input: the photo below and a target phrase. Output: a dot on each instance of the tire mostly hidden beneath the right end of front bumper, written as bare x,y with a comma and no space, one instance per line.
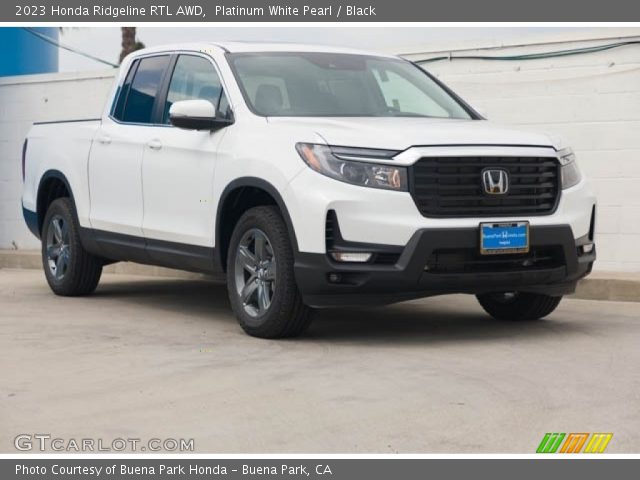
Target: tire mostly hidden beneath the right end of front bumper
517,306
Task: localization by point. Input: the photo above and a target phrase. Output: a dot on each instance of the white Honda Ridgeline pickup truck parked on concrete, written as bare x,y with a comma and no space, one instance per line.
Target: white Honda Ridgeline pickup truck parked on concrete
311,177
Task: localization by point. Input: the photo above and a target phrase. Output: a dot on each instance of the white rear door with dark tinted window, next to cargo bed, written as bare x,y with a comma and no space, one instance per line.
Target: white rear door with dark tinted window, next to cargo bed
115,162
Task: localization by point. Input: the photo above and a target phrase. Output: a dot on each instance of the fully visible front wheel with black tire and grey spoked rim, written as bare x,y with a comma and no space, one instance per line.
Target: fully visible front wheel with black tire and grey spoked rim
260,265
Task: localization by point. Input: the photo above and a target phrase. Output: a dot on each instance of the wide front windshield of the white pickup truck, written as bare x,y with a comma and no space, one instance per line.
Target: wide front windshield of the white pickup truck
329,84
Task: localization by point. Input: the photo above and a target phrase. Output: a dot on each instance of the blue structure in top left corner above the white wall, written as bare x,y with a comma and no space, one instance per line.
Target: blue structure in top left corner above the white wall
24,53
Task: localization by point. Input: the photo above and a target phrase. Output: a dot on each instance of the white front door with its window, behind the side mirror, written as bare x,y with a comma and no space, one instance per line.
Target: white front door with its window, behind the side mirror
179,165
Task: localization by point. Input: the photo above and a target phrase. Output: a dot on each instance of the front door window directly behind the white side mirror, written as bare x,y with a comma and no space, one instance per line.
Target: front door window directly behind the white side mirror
194,78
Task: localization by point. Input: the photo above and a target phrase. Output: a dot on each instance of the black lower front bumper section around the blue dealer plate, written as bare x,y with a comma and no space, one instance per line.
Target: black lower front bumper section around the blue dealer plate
442,261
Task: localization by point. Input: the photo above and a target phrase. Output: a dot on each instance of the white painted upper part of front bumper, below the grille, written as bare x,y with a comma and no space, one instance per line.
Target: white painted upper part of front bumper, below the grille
391,218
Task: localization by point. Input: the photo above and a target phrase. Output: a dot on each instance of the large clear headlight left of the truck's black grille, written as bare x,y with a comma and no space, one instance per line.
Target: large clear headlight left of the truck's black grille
334,164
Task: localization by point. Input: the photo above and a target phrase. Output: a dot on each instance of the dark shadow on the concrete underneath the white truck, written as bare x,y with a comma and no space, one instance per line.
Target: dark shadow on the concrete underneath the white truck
451,318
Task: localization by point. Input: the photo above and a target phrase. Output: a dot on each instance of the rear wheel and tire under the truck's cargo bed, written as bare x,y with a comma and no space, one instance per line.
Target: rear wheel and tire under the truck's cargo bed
70,270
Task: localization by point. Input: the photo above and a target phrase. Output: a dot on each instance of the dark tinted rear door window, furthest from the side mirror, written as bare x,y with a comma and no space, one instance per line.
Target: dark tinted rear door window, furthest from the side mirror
141,95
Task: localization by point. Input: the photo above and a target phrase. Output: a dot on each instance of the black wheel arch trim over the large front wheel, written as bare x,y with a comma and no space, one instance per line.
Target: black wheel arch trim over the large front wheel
237,197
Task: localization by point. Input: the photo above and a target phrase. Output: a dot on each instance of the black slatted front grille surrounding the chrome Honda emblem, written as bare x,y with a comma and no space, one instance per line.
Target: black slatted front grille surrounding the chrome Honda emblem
452,186
